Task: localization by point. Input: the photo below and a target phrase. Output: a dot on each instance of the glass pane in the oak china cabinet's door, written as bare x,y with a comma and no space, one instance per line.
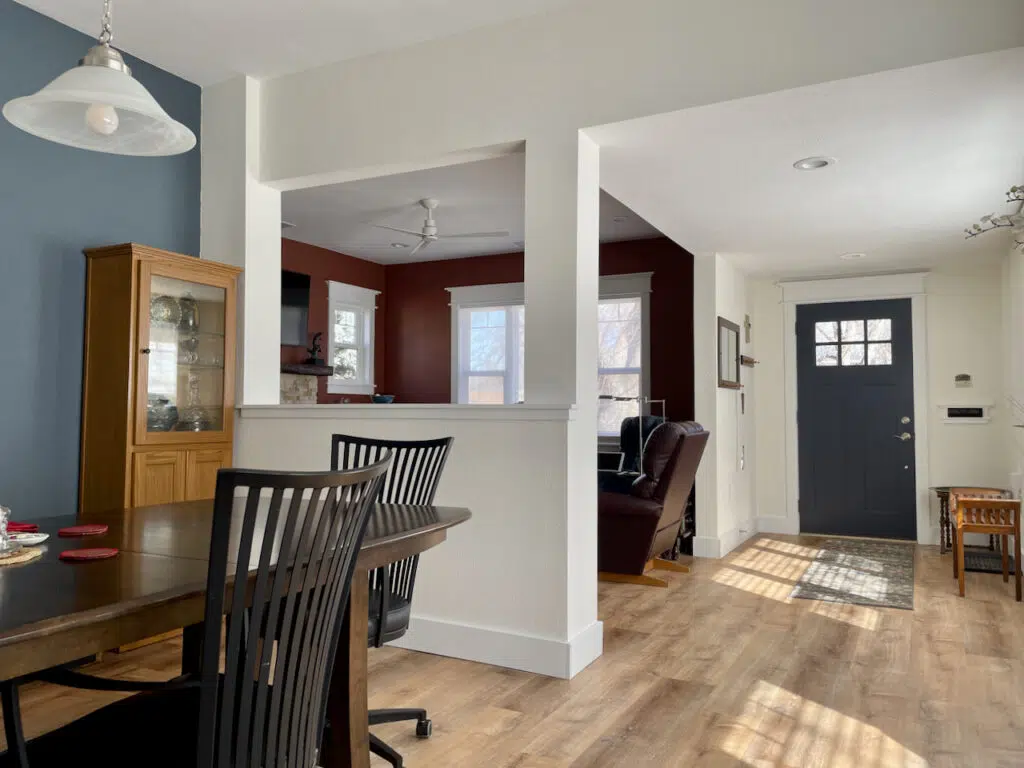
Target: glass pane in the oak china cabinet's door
187,357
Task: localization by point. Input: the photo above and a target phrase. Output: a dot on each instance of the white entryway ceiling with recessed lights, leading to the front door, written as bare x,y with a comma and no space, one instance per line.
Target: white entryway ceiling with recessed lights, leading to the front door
921,154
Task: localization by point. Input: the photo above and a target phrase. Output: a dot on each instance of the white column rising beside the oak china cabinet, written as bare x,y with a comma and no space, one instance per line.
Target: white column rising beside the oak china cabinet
241,226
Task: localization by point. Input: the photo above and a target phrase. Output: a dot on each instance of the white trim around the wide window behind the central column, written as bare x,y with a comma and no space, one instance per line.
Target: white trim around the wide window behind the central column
505,294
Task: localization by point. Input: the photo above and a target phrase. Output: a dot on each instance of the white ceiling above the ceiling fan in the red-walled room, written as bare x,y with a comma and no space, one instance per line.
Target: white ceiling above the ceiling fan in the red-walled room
485,196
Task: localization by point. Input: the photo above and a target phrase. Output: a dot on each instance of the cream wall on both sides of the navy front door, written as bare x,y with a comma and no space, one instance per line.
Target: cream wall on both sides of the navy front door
965,335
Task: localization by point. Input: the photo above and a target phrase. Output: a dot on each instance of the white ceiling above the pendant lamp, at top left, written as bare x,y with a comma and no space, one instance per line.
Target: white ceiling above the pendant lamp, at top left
207,41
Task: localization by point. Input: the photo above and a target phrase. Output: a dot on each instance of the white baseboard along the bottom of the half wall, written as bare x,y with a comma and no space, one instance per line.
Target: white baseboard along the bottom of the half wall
538,655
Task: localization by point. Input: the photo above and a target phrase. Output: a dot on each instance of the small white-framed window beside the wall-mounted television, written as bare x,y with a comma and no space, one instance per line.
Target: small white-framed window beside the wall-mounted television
351,347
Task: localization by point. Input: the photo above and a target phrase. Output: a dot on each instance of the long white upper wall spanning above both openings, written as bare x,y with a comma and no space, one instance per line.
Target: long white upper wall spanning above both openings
593,63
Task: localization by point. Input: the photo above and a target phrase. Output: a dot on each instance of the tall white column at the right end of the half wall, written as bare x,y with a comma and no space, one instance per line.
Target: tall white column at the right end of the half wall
562,288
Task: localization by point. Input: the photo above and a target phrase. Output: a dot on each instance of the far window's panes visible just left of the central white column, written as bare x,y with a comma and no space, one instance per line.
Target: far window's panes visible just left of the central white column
491,355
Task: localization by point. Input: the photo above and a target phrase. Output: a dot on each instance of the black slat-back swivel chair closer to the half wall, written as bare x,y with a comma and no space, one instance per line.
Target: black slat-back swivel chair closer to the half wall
416,471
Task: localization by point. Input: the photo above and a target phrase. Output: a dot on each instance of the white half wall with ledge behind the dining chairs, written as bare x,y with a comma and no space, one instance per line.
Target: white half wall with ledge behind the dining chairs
499,589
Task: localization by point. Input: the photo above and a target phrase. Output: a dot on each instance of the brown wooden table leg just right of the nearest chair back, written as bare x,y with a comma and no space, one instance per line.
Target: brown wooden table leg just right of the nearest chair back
348,742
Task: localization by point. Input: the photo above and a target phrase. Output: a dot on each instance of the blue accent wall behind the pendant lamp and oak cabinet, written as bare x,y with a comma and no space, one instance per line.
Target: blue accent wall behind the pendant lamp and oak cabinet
55,202
